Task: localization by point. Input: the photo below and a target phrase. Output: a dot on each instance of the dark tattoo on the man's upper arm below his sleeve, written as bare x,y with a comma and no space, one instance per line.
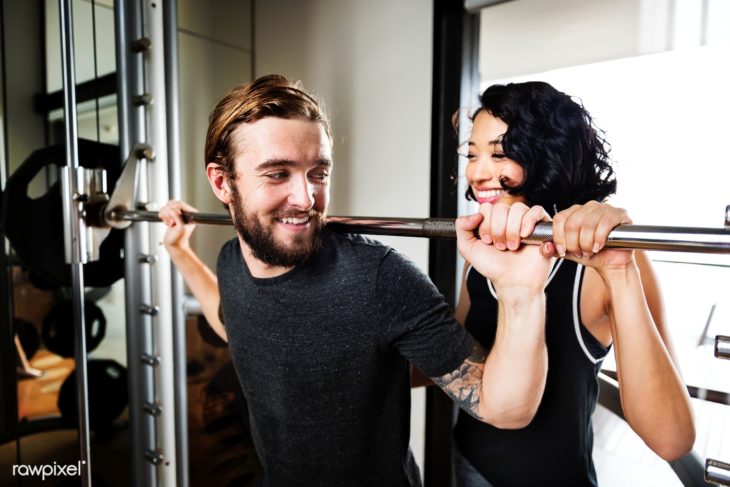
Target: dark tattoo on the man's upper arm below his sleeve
464,385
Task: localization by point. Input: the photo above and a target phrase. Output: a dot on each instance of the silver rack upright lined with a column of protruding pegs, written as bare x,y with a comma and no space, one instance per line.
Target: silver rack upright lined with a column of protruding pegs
130,86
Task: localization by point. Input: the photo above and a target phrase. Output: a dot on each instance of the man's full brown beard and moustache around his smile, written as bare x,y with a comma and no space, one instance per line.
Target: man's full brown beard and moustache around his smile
261,239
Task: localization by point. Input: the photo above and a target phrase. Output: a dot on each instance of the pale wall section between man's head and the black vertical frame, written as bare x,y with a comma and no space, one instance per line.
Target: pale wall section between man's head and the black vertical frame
371,63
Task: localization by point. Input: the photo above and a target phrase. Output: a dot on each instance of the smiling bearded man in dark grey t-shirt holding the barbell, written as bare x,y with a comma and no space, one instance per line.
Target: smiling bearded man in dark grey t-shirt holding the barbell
322,327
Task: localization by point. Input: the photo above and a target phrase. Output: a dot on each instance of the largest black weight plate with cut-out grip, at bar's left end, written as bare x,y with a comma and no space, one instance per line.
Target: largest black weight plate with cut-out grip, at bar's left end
34,226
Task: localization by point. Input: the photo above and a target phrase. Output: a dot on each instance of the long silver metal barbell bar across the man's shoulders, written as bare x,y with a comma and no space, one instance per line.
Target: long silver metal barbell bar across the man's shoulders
644,237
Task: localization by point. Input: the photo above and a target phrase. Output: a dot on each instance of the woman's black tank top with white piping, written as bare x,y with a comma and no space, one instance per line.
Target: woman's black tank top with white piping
556,447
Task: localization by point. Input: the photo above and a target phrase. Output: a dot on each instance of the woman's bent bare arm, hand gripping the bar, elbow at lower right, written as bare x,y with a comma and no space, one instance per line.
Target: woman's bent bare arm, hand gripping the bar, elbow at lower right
653,396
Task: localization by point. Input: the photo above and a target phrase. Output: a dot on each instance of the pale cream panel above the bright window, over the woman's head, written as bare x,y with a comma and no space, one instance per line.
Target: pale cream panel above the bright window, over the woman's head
531,36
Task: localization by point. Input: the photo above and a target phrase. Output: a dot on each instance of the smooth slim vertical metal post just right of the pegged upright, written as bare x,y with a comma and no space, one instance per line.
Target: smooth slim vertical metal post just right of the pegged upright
172,88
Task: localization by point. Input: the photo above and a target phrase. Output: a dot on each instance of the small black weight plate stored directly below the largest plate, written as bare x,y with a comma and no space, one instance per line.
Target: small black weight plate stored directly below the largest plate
58,328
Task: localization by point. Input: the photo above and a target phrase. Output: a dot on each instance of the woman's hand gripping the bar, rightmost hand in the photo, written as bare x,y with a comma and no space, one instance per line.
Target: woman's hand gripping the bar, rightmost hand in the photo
580,234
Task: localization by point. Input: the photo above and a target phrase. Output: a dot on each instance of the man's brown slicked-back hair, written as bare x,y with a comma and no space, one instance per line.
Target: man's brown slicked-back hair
268,96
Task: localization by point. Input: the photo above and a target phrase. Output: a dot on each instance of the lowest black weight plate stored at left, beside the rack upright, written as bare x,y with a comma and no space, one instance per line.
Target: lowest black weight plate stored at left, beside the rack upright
107,394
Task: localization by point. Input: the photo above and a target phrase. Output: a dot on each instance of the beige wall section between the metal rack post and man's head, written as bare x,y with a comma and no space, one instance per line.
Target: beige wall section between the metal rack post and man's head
215,54
